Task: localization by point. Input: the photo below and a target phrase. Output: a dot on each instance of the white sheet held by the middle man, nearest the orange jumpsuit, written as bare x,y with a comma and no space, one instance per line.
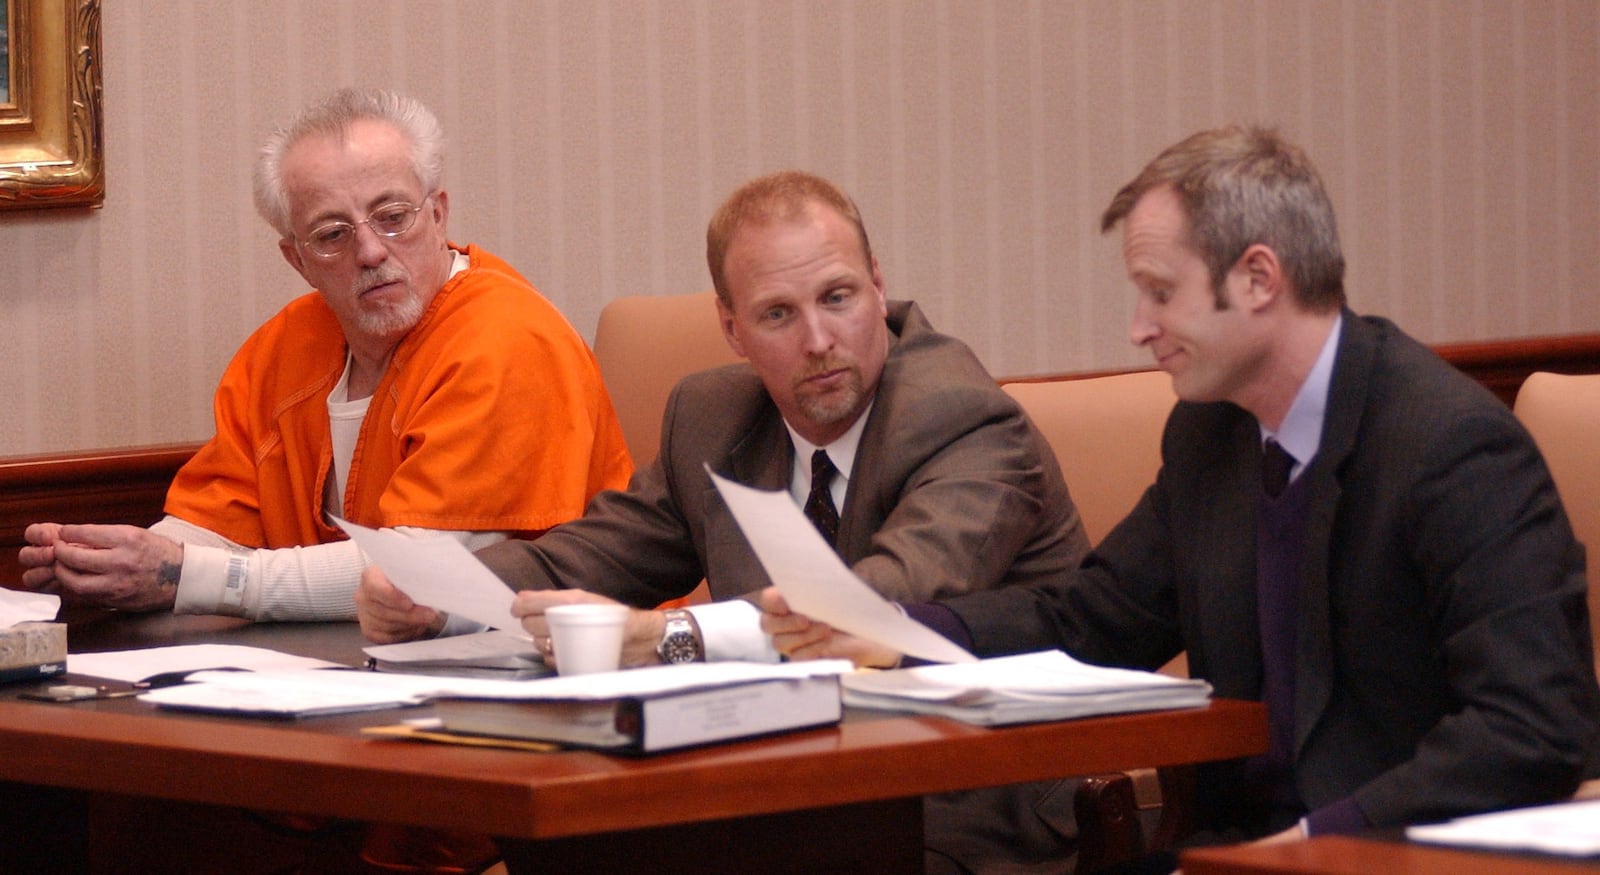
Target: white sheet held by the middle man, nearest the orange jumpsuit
441,573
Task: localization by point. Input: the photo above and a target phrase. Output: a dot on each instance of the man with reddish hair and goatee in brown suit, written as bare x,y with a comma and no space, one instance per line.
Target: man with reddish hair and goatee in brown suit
943,484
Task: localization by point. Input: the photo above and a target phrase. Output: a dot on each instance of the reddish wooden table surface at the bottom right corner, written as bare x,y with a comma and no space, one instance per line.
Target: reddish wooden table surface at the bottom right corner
1342,855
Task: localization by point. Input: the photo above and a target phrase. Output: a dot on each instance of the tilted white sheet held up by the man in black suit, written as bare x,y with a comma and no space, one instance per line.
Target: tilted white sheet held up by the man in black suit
817,583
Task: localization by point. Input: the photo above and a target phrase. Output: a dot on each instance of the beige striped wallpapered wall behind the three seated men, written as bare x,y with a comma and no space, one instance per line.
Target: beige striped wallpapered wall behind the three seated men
591,142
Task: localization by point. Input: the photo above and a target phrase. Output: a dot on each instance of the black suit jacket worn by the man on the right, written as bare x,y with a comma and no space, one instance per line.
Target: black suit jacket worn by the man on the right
1444,661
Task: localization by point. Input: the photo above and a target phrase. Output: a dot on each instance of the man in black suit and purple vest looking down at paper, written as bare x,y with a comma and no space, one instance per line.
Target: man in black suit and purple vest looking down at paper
1404,593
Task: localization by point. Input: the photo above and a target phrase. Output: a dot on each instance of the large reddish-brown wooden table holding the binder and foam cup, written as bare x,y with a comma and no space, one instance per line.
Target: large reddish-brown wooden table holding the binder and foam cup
844,799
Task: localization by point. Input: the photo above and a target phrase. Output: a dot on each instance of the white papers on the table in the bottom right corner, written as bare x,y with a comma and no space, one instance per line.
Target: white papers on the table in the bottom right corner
1572,829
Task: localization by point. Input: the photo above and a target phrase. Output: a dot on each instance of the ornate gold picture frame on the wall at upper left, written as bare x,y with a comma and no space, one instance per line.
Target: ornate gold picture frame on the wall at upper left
50,111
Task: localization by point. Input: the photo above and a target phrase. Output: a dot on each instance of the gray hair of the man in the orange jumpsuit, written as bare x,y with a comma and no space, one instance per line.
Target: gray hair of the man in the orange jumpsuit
335,116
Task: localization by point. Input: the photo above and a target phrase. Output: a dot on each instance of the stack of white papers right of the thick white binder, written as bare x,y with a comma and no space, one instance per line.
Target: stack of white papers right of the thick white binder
1047,685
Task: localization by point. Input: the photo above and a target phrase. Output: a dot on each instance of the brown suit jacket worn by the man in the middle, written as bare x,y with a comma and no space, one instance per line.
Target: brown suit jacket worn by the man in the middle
953,490
